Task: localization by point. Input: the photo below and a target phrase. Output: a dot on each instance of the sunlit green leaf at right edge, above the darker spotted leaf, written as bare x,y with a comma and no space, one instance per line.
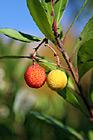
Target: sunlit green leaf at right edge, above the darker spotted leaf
86,34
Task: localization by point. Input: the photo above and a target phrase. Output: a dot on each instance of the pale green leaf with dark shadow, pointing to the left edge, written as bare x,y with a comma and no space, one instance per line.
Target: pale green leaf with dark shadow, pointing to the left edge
19,36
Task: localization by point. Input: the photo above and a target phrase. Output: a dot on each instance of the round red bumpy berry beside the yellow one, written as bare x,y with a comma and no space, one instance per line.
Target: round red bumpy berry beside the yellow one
35,76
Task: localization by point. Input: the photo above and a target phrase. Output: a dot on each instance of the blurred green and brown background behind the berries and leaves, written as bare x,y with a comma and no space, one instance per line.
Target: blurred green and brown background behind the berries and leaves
17,99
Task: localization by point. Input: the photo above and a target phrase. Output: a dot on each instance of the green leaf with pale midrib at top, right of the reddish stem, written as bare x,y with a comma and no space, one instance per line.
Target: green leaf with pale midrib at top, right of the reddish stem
59,8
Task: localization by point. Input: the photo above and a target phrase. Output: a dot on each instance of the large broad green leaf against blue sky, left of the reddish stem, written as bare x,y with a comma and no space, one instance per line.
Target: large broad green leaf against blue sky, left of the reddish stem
39,15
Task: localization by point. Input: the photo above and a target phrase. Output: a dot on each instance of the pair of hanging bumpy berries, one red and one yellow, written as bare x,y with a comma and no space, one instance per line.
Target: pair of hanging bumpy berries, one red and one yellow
35,77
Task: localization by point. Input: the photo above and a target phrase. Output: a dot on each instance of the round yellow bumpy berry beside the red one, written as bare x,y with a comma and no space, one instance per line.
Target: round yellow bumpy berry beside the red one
56,80
